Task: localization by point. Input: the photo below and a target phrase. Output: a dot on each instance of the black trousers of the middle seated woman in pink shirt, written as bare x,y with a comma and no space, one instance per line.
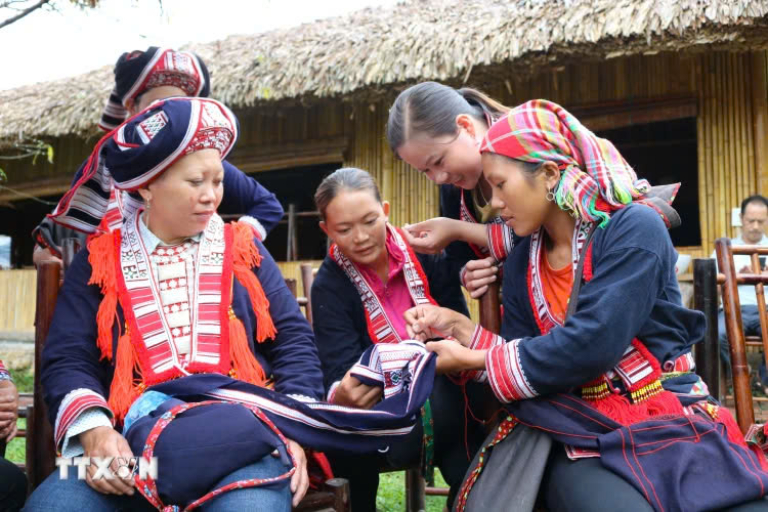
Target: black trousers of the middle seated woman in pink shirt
447,403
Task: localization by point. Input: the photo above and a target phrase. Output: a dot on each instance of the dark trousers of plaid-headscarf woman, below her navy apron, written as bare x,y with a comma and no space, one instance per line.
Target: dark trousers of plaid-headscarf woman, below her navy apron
585,485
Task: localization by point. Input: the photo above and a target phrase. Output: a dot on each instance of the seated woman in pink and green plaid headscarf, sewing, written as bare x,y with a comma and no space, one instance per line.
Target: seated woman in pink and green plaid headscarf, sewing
594,362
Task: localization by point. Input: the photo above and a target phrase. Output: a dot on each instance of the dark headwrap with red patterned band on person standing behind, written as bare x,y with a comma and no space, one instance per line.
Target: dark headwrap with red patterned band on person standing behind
138,71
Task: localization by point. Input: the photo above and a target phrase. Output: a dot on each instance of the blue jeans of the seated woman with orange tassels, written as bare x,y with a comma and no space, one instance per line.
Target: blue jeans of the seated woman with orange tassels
71,494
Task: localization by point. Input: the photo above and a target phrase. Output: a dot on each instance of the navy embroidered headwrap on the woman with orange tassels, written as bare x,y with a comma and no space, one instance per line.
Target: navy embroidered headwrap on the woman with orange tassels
141,149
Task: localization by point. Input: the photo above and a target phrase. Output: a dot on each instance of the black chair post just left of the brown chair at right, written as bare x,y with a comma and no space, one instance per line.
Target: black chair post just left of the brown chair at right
705,300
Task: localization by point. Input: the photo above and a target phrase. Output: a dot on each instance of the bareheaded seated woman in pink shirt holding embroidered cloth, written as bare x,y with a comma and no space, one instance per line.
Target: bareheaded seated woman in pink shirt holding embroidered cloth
366,283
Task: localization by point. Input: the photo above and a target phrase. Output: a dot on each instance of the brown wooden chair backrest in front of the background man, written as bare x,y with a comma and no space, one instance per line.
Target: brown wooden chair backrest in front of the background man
733,322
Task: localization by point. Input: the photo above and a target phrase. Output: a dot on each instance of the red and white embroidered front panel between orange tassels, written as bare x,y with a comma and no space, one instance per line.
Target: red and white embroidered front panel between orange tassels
168,329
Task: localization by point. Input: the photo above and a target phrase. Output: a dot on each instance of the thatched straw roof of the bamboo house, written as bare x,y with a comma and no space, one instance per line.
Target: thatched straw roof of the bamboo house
415,40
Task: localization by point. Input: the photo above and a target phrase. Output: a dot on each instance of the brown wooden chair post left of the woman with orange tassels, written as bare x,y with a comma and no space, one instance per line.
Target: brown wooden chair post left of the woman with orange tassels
41,452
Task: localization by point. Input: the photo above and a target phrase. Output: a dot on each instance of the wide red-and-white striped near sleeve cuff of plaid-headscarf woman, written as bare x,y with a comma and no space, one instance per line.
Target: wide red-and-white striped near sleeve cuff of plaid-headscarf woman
506,374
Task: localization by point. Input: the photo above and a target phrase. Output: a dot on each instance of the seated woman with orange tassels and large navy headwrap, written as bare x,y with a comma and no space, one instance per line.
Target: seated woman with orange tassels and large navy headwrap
181,303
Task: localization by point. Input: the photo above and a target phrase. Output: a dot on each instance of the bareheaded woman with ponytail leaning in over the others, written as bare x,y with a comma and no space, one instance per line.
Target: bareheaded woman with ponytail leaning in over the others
437,130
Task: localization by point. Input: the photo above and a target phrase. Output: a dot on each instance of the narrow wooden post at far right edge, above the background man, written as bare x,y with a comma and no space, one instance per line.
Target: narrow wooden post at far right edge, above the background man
760,118
